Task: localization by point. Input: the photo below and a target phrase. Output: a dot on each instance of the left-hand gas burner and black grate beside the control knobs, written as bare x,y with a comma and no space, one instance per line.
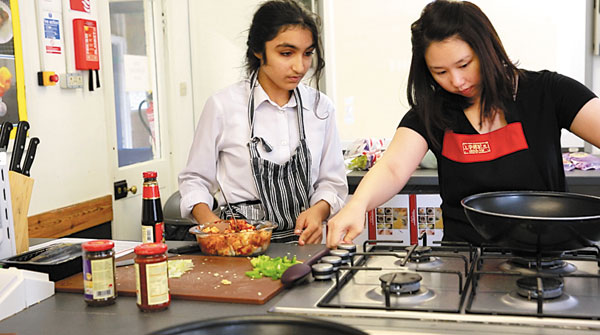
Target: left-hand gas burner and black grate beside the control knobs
384,278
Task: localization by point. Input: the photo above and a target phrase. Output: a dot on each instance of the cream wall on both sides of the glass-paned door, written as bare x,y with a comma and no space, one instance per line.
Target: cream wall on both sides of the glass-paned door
73,159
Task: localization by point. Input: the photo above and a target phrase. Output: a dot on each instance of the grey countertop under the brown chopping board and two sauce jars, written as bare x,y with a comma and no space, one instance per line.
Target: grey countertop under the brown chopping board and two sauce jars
67,313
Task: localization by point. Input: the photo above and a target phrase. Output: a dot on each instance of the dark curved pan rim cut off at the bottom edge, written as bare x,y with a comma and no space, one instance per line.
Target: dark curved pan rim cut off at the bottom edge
261,325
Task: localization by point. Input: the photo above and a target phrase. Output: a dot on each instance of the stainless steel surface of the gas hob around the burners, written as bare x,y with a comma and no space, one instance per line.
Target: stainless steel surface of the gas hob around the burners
434,309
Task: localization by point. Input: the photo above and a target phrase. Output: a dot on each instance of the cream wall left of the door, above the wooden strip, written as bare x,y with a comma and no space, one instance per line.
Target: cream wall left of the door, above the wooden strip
71,162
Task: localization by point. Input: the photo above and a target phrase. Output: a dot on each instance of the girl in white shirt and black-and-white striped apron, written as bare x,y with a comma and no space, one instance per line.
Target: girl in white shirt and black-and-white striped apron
270,141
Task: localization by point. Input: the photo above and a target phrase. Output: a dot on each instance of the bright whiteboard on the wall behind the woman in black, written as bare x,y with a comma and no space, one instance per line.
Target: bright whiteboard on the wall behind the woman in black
372,50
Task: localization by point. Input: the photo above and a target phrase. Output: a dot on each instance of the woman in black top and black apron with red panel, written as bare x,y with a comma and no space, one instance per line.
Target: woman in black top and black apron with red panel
491,125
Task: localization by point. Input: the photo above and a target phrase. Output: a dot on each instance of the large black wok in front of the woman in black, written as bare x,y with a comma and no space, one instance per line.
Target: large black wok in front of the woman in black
532,221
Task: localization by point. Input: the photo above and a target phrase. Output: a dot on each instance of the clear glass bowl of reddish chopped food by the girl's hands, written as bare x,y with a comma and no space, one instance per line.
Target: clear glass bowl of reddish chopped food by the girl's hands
234,238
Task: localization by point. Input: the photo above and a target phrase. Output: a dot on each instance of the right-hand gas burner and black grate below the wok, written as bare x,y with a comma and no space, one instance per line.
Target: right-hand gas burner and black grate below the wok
564,286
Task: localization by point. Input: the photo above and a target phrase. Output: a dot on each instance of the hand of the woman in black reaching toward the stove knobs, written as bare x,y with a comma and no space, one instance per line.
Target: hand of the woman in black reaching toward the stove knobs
346,225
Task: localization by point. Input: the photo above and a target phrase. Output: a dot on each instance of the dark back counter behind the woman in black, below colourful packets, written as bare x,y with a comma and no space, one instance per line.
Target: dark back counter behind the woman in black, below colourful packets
424,181
